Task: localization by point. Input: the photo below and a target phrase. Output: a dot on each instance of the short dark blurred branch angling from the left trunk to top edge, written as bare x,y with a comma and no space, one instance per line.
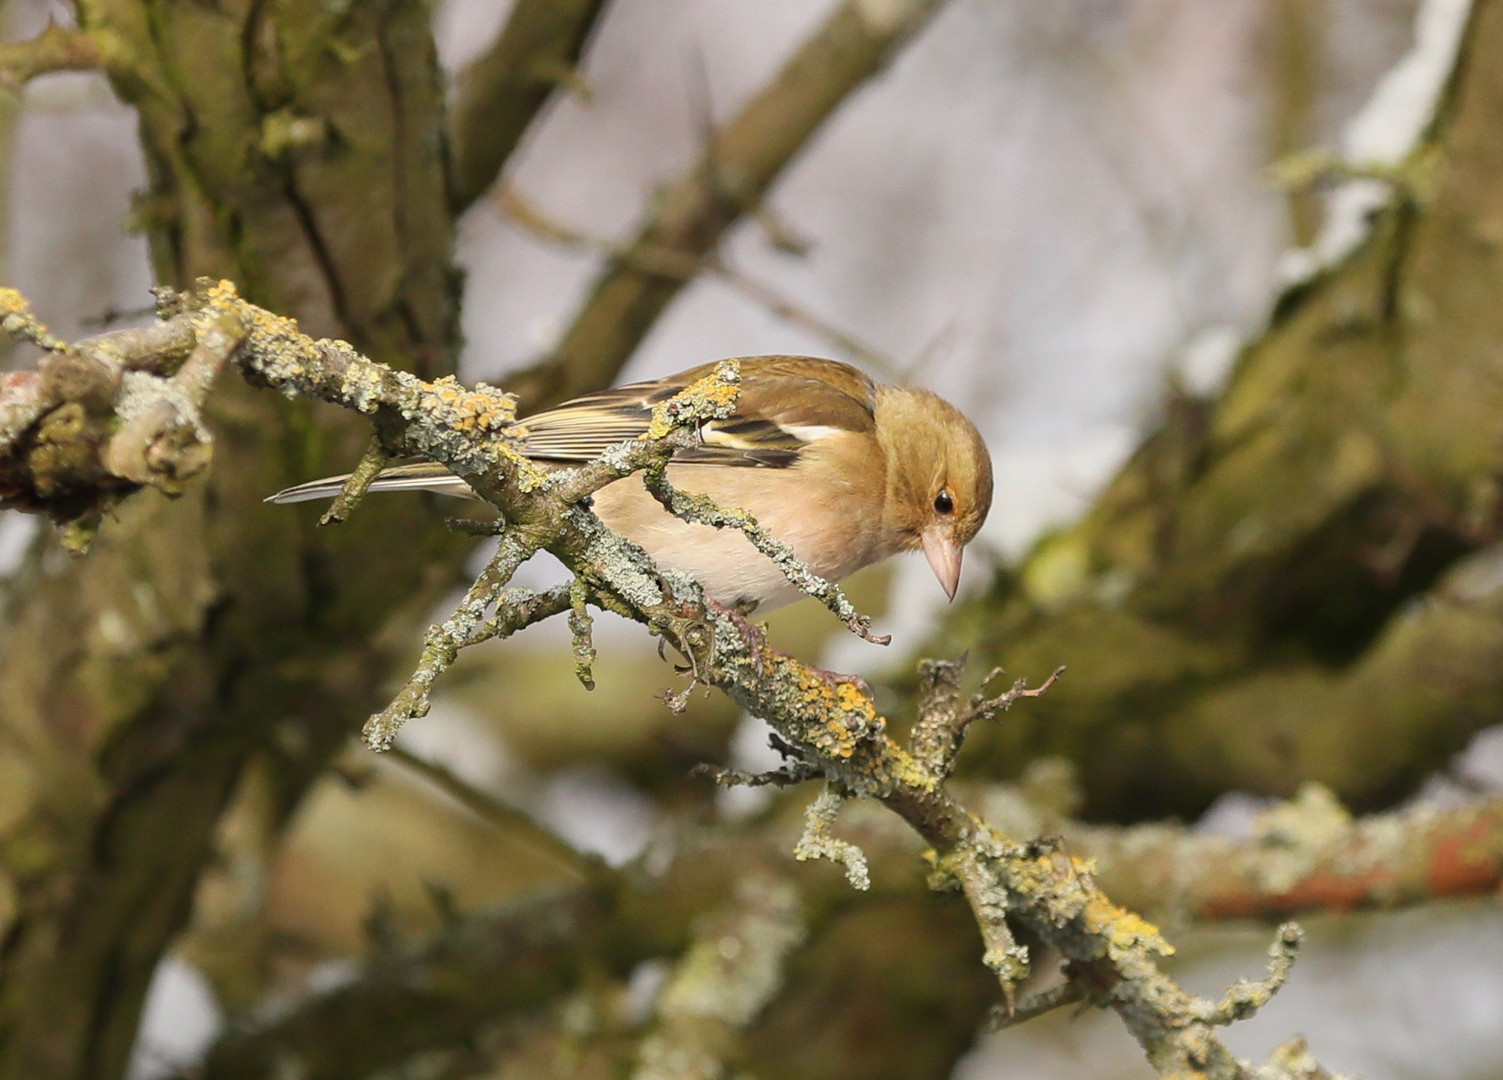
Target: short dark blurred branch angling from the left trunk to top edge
500,94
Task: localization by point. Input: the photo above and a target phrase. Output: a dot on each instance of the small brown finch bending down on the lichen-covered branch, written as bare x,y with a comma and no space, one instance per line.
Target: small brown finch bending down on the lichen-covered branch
844,469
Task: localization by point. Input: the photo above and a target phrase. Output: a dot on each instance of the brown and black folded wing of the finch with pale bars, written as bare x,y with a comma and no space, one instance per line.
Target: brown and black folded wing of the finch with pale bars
785,403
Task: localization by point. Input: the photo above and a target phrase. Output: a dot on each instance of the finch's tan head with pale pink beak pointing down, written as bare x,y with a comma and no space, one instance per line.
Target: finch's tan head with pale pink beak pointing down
939,478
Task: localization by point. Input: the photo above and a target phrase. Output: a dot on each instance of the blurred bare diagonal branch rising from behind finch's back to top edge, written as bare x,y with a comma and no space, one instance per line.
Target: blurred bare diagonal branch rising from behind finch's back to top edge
736,172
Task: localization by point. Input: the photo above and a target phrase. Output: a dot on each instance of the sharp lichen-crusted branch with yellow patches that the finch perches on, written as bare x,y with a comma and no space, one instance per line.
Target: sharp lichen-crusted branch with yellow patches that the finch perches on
827,722
